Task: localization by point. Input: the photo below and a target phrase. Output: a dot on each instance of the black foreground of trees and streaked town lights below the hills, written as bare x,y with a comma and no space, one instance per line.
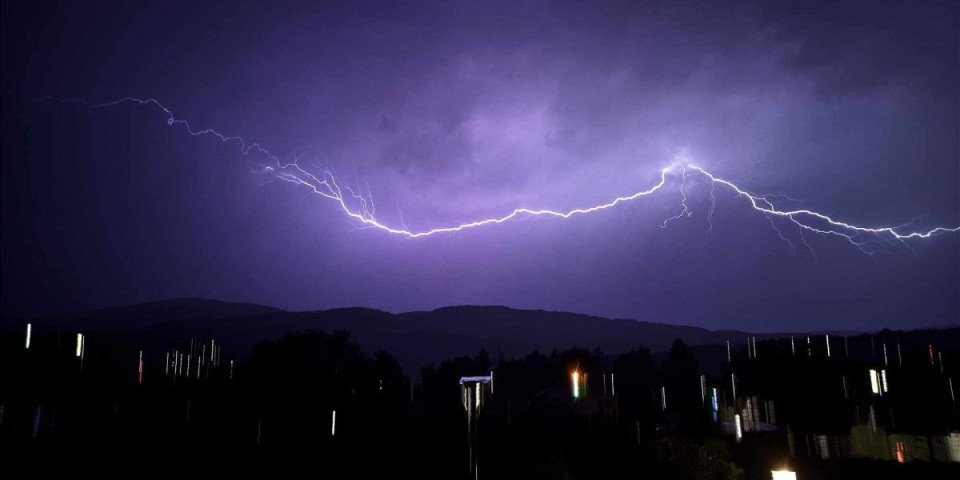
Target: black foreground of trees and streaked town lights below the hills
274,415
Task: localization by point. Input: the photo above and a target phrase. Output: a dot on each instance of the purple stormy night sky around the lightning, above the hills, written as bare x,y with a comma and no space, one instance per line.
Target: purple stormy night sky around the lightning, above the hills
446,112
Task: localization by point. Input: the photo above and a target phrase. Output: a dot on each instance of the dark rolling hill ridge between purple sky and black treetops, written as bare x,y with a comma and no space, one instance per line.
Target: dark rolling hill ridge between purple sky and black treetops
415,338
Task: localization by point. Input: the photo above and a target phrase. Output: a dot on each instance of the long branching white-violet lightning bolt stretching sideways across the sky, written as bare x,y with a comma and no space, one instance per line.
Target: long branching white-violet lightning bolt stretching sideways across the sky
360,207
